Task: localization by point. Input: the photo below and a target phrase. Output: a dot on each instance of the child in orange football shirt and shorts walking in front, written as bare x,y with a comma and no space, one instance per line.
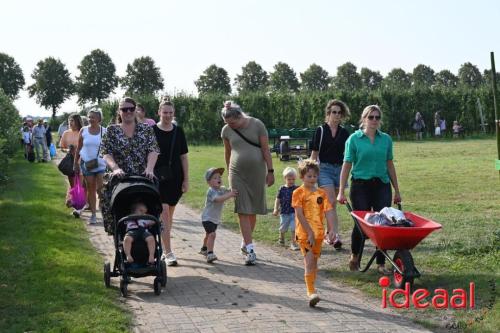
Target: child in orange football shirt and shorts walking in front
311,205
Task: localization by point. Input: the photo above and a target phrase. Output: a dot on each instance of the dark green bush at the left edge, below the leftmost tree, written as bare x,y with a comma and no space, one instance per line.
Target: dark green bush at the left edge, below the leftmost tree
10,123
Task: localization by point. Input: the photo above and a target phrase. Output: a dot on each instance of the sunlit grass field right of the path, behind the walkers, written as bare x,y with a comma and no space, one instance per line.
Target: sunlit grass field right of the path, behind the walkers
454,182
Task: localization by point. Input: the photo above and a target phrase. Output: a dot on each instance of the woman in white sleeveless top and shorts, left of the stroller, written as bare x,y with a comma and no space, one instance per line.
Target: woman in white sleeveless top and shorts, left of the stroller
87,158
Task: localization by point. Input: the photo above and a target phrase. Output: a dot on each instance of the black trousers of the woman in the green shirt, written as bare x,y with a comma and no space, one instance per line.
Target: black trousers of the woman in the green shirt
372,194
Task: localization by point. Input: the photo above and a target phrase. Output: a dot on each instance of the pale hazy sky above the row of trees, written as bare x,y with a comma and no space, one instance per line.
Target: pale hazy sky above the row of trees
184,37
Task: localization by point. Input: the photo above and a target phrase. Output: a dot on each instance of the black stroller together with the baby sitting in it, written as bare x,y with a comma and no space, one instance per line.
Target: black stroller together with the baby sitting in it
133,255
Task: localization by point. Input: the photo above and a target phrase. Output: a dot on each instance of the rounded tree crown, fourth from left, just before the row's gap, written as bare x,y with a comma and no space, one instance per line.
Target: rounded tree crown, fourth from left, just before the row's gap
142,77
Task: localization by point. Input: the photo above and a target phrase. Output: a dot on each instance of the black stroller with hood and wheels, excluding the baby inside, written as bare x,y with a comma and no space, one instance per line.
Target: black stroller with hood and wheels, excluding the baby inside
125,192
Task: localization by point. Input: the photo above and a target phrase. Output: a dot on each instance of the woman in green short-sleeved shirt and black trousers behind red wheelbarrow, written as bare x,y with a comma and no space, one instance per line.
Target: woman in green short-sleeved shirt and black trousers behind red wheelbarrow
368,156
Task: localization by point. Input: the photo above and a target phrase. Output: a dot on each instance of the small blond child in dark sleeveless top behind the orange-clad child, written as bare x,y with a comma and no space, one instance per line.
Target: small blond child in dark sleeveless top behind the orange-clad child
283,207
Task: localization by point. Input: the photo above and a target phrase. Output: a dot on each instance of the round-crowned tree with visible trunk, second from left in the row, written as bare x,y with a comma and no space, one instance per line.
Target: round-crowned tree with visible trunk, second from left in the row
53,84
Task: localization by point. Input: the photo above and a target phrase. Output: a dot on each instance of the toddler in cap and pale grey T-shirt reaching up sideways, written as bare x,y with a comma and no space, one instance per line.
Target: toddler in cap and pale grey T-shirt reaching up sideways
211,216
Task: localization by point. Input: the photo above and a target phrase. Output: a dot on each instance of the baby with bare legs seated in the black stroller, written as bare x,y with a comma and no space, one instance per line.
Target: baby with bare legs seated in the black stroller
138,229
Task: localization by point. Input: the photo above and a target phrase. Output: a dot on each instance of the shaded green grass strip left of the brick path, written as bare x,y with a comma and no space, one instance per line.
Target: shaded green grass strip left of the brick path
50,275
